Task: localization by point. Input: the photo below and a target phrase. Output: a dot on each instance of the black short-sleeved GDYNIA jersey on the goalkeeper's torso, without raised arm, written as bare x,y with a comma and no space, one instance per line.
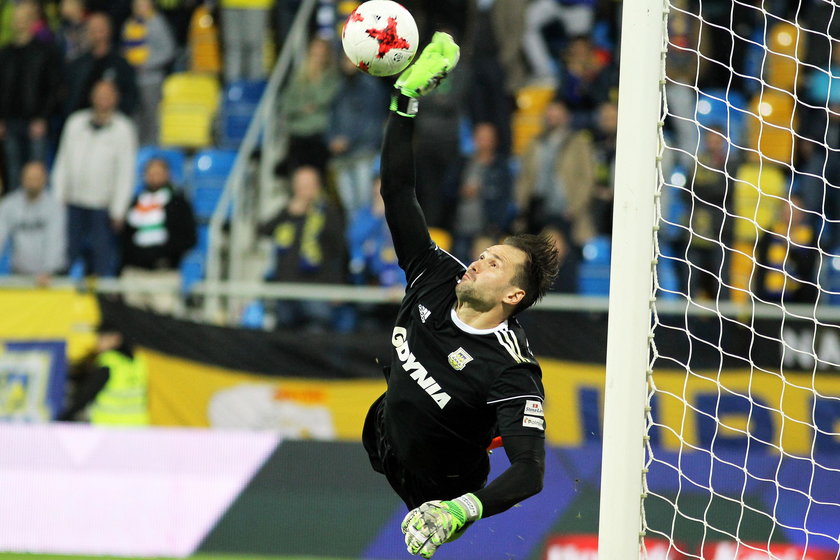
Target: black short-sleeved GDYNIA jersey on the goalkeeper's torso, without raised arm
451,387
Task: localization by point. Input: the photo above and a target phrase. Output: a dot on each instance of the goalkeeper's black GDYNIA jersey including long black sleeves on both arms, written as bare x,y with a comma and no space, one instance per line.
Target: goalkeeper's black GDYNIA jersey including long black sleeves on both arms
451,387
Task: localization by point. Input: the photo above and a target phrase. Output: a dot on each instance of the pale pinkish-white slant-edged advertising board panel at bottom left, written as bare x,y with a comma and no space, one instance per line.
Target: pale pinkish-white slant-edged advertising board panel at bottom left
127,492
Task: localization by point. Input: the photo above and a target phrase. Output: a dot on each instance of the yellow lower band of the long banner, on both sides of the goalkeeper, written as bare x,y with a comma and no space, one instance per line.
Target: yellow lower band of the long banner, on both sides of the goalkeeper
688,409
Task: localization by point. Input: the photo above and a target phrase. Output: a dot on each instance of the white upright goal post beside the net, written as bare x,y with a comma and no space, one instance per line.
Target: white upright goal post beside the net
631,279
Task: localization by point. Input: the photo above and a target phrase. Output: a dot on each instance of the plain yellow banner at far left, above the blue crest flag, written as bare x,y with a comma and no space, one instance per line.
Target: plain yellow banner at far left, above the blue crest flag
54,314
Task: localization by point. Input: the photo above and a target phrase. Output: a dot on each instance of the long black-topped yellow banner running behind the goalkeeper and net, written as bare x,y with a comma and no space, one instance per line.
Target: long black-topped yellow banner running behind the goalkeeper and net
320,385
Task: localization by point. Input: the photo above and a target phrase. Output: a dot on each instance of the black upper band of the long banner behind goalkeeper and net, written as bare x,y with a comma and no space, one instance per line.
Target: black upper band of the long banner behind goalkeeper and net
700,342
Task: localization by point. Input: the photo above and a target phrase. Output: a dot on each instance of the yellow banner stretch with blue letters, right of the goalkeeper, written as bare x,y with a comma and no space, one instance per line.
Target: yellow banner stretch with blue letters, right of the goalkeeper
695,408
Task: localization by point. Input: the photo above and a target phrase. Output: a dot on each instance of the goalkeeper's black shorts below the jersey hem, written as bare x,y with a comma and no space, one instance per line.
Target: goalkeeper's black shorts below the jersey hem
413,488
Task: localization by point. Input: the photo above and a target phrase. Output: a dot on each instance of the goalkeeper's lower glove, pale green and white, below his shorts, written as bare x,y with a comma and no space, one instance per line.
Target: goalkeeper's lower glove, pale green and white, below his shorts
434,523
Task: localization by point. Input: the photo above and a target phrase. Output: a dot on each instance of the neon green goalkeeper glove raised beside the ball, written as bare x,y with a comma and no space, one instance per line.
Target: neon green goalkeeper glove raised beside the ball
433,65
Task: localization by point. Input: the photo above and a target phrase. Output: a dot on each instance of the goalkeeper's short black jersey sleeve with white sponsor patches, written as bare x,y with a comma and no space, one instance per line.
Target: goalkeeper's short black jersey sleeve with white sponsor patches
517,396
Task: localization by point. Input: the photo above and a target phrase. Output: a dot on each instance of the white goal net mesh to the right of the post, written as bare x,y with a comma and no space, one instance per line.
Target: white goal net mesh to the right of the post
743,456
